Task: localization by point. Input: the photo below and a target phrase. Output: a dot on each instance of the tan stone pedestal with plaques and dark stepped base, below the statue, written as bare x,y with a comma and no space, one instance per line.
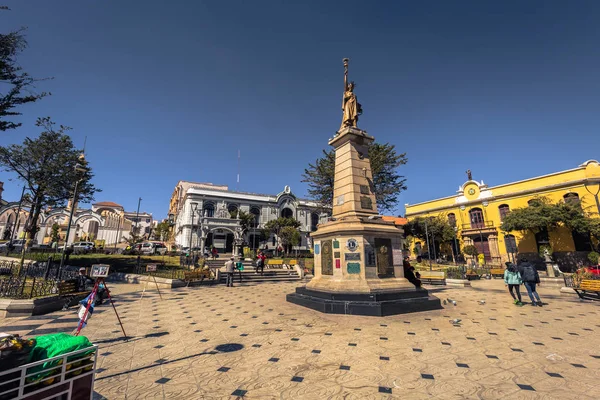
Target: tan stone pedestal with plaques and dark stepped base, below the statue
358,256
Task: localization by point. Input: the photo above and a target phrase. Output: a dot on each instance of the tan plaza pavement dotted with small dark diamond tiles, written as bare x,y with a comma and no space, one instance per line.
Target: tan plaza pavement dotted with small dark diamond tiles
248,342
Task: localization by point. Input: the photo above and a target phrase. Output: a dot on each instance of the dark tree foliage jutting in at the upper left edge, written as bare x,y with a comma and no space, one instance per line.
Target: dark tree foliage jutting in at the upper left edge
16,86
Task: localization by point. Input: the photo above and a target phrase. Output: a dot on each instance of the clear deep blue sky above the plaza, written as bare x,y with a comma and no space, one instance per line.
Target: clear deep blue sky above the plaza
170,90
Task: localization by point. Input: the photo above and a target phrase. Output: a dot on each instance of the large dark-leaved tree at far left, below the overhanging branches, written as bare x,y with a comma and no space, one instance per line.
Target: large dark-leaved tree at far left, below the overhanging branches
50,166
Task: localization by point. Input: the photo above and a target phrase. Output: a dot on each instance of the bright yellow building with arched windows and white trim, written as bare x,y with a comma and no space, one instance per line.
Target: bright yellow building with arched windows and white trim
476,211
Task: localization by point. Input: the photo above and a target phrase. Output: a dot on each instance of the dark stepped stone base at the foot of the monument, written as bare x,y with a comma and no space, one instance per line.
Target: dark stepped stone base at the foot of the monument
372,304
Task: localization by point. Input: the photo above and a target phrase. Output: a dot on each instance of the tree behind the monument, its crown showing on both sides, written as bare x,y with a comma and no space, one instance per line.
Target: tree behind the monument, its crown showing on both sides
387,183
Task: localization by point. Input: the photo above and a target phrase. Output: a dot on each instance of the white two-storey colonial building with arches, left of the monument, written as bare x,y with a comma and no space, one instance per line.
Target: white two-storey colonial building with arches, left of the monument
201,216
